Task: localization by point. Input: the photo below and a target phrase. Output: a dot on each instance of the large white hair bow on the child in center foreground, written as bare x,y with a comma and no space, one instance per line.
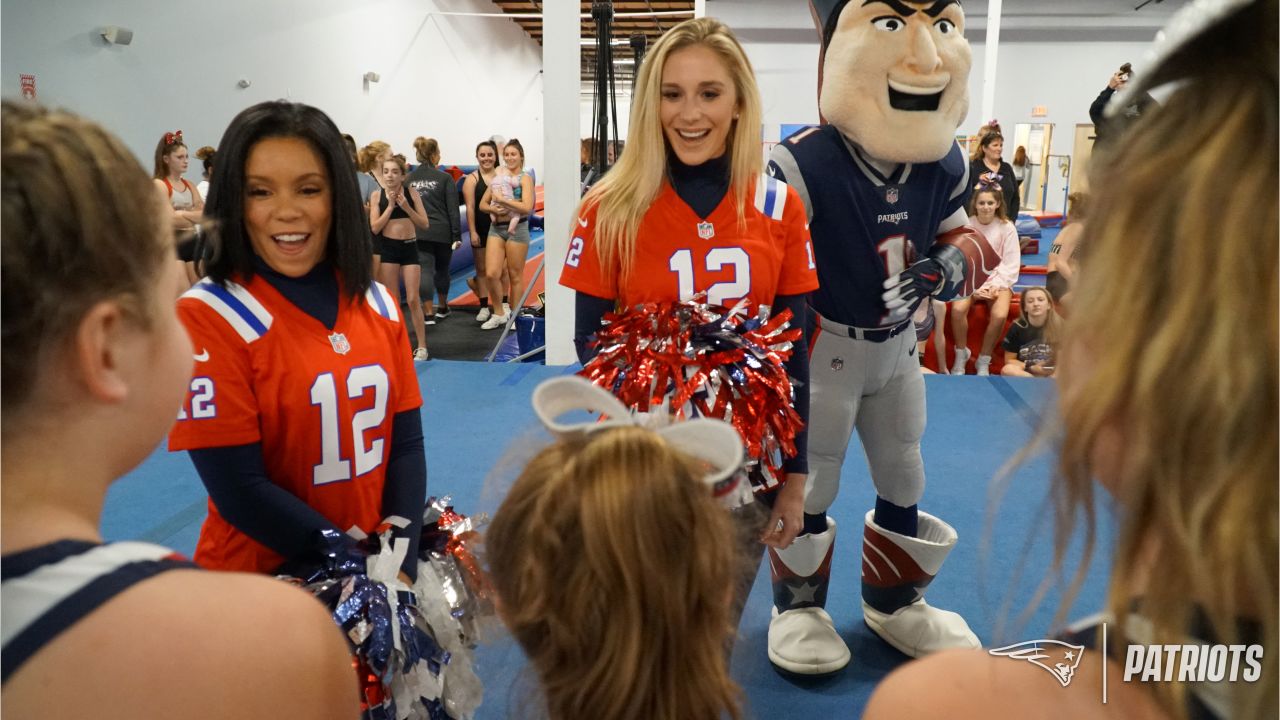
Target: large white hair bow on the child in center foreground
711,441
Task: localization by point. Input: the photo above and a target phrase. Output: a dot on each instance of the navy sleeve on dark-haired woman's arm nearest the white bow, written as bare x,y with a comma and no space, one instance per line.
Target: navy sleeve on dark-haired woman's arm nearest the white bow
405,493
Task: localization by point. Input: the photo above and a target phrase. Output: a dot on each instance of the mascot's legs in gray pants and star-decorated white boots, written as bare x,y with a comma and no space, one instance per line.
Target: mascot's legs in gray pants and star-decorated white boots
868,381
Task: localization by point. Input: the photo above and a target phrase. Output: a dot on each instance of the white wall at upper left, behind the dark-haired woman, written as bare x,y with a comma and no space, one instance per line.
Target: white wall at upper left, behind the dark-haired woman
456,79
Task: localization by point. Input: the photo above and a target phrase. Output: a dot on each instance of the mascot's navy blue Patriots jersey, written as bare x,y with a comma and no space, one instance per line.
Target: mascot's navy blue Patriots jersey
866,226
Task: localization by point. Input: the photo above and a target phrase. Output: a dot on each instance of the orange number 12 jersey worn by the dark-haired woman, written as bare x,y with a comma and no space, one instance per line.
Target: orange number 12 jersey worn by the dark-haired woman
321,403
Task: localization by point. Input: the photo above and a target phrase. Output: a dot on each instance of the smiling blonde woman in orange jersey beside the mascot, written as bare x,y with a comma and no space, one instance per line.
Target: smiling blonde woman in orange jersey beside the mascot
688,211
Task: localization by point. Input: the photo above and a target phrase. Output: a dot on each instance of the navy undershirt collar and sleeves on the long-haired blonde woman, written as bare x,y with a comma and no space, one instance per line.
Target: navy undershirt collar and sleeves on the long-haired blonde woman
703,188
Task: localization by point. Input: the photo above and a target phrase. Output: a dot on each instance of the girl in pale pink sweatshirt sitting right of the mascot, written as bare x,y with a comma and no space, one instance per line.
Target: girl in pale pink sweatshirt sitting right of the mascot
988,215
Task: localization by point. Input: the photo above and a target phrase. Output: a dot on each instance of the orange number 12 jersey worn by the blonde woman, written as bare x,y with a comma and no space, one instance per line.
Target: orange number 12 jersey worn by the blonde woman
680,254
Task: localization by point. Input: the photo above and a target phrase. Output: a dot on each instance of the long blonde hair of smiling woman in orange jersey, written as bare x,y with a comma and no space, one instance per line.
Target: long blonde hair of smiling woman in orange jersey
627,193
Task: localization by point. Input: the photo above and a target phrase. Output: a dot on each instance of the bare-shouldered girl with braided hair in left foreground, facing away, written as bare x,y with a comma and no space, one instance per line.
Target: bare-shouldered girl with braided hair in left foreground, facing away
125,630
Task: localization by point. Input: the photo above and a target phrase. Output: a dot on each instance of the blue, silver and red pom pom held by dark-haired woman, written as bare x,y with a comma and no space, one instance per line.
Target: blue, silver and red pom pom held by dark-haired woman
413,648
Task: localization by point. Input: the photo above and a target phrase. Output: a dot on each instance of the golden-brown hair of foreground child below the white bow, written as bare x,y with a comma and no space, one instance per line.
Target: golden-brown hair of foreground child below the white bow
614,568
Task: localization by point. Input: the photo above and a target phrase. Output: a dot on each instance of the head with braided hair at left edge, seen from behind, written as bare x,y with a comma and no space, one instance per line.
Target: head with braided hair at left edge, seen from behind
86,274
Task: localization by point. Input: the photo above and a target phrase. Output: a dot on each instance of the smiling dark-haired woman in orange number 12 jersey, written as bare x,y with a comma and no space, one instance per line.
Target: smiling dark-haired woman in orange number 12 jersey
304,414
